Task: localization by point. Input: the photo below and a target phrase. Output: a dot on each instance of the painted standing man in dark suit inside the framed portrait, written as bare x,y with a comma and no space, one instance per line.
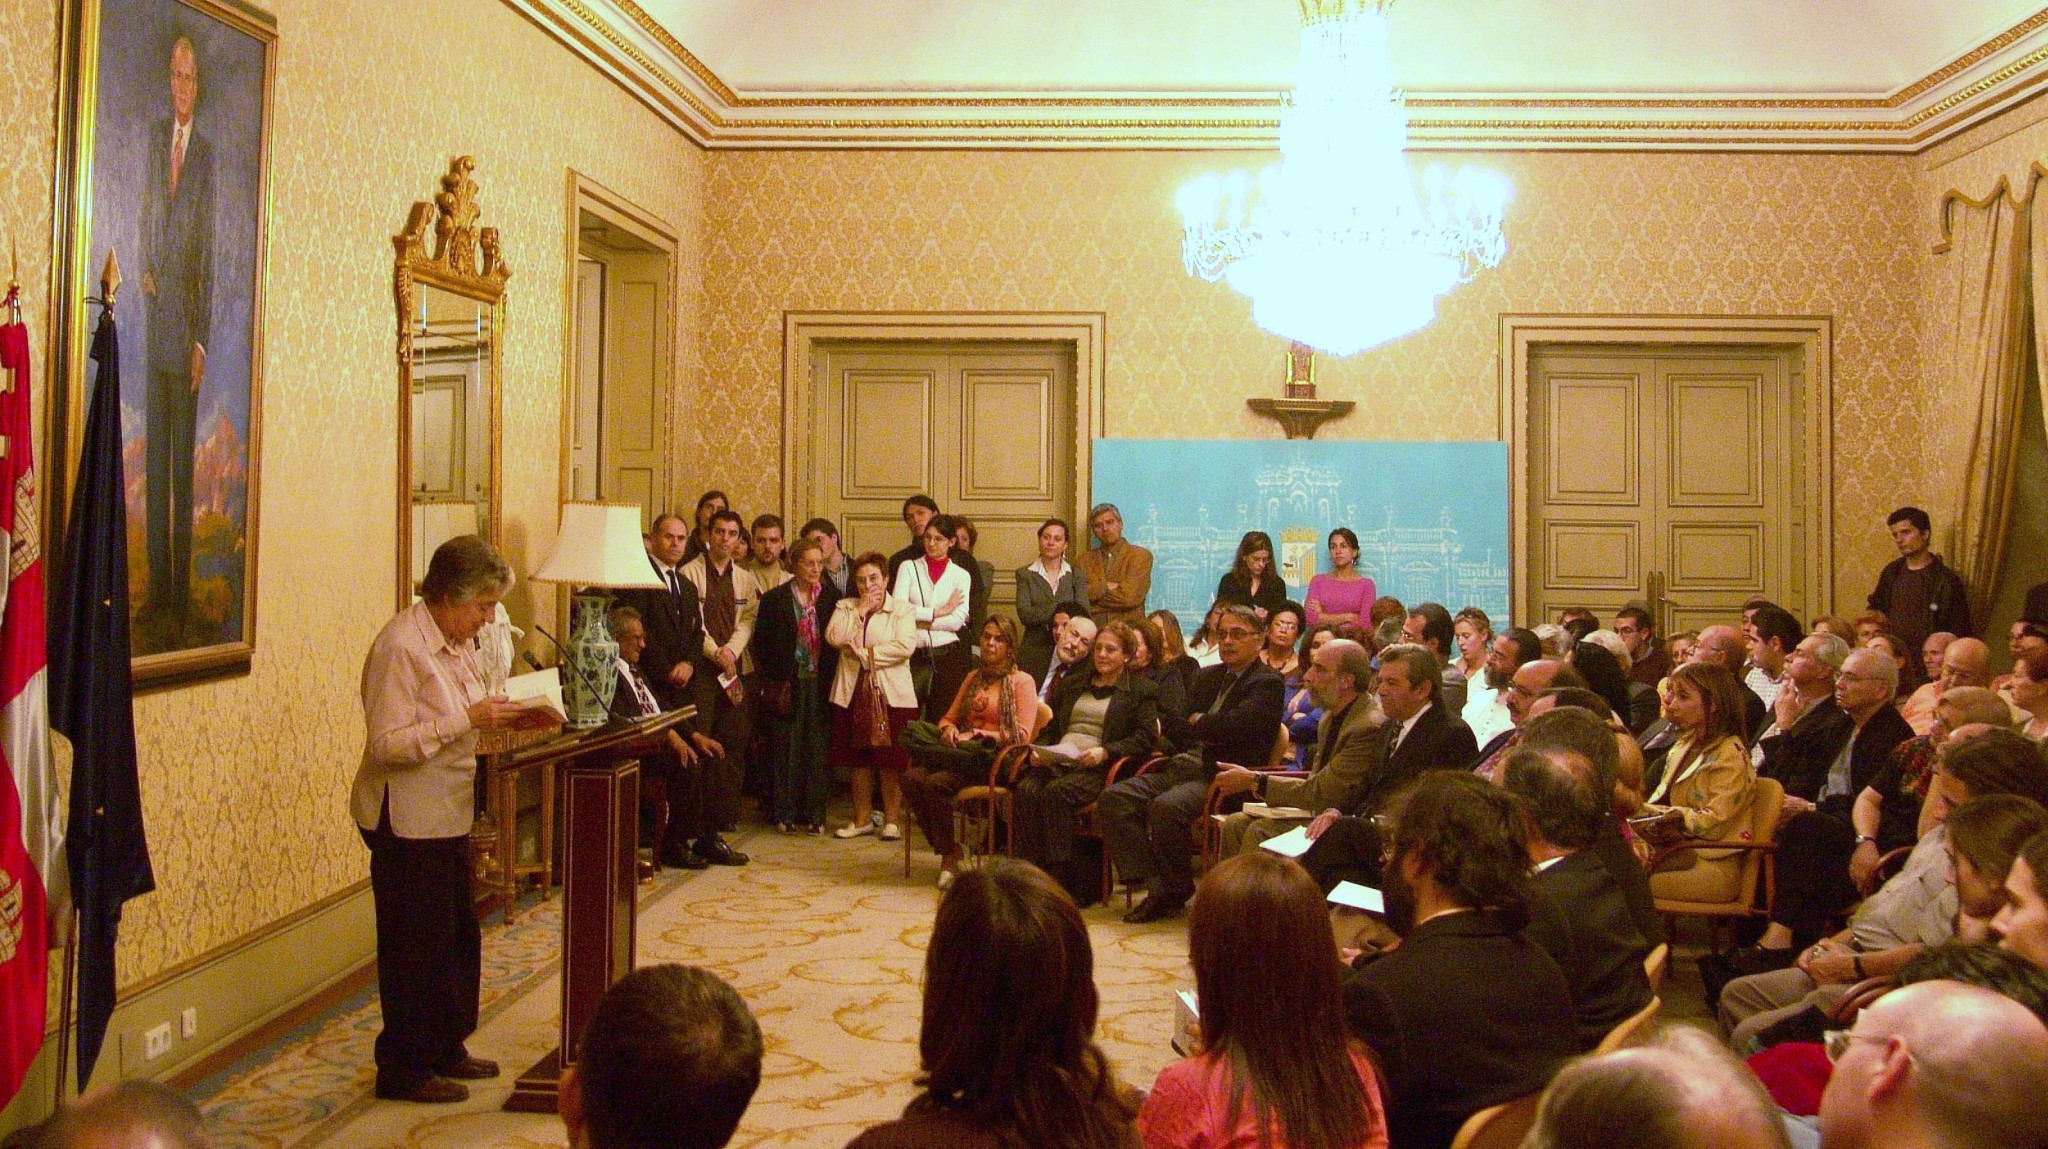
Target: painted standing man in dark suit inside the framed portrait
177,232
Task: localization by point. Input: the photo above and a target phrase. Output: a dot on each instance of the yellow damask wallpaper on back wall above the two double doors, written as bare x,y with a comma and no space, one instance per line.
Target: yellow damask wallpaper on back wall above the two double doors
1099,232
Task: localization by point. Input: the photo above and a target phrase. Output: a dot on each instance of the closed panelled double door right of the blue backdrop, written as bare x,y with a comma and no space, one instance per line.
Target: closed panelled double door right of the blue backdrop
1662,472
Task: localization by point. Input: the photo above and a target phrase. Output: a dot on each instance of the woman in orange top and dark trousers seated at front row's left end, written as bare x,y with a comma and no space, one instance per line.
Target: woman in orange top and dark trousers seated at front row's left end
992,710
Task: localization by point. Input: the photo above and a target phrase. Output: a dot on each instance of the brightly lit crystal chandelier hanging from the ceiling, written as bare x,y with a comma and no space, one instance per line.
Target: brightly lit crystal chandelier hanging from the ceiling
1334,245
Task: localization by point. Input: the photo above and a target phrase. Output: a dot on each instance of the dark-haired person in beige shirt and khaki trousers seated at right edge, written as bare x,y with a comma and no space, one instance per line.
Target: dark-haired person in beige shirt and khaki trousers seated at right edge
1910,912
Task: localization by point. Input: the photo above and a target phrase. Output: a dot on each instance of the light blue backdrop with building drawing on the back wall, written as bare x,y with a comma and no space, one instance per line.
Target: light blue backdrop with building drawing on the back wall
1431,517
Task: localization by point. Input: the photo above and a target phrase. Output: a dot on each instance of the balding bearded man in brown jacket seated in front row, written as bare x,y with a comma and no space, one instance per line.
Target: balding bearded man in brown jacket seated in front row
1347,759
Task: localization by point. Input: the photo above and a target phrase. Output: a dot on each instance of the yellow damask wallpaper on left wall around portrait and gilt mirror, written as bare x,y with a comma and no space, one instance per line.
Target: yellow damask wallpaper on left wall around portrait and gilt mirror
245,781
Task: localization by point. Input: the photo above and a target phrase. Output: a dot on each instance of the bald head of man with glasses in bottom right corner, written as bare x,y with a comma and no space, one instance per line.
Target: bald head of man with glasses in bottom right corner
1938,1066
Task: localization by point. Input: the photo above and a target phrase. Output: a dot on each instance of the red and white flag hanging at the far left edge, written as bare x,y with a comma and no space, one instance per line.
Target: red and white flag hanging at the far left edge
32,818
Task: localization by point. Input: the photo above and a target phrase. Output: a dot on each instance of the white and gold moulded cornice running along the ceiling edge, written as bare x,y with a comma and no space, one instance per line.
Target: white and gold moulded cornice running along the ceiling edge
622,40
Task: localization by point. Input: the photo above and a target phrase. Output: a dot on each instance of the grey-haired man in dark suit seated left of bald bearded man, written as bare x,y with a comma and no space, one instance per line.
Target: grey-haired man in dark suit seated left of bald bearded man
1234,718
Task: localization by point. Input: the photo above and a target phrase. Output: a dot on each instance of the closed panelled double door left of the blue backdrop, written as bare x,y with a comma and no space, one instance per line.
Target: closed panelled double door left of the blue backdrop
984,429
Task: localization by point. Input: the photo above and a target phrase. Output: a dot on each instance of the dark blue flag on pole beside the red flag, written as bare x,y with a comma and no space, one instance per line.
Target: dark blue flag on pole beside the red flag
93,704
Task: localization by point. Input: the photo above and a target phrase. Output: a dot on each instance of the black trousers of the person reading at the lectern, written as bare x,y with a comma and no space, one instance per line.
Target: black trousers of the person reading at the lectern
429,953
